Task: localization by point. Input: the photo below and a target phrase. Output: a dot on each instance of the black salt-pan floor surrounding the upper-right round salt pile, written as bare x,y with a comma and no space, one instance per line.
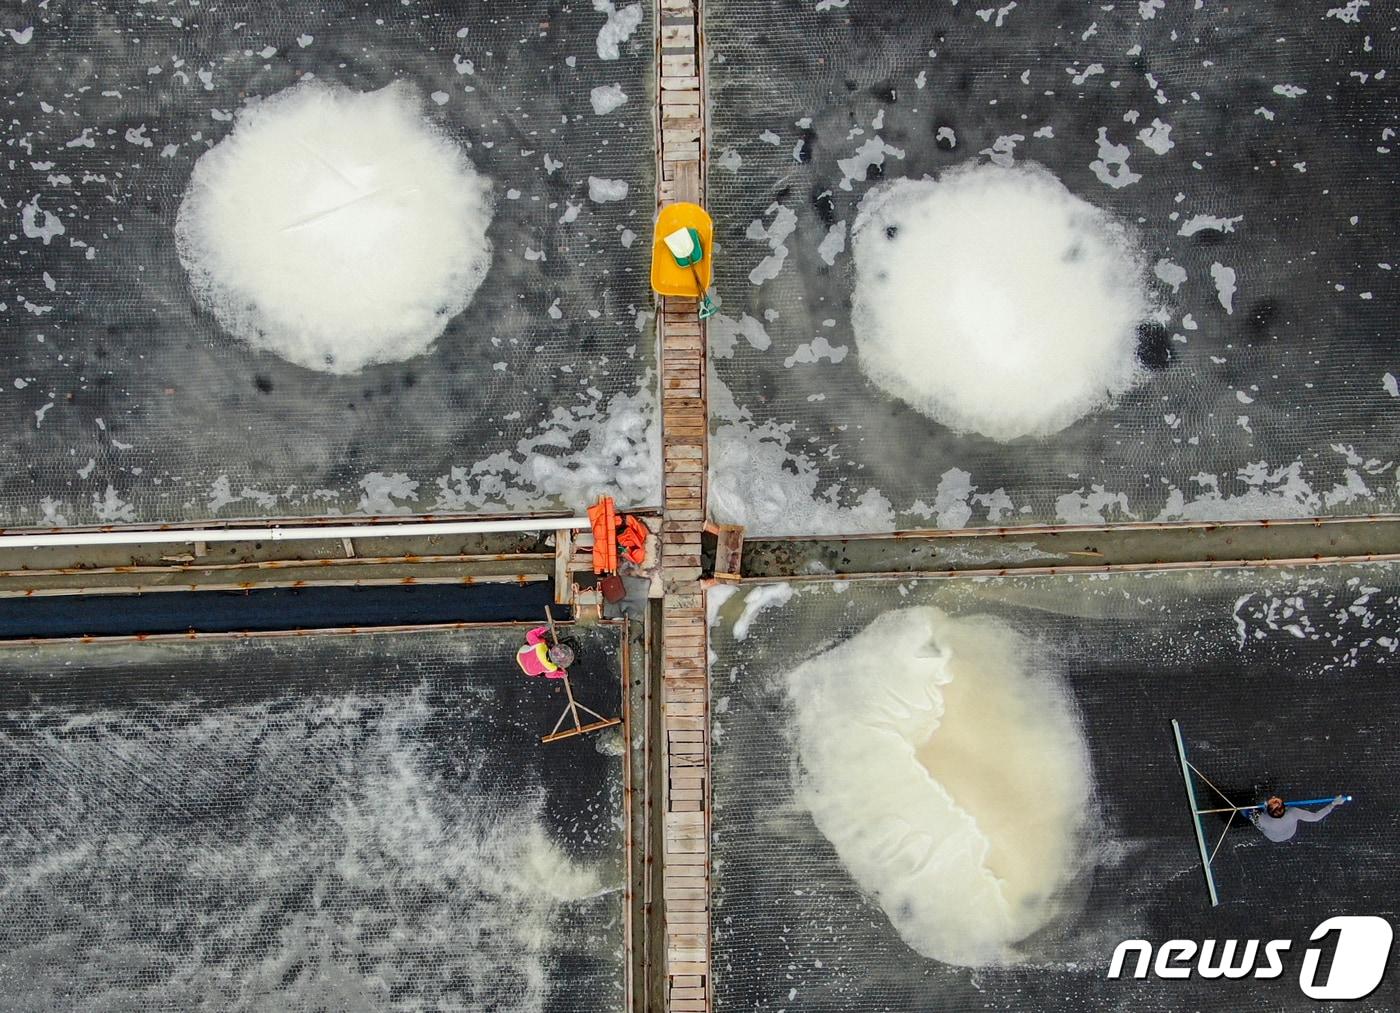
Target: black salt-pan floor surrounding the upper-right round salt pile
1312,177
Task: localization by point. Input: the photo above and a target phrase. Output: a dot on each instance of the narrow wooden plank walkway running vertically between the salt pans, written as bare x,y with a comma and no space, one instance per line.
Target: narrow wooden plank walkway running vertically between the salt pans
685,427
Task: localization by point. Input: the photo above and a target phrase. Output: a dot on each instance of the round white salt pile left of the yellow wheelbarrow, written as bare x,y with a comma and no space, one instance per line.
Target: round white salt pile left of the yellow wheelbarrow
335,229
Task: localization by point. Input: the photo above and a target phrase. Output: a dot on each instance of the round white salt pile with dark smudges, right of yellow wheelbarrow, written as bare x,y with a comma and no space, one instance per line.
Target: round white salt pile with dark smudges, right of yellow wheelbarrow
996,302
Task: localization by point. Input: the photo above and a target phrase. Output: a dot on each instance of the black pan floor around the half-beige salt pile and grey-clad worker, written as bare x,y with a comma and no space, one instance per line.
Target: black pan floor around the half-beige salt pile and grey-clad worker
1263,709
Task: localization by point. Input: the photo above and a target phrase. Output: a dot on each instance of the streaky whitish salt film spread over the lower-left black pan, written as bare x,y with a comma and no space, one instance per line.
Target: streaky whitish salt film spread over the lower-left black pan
307,853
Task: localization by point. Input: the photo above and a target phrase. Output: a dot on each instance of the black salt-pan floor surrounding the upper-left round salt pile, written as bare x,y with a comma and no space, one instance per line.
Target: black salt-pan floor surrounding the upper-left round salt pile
155,405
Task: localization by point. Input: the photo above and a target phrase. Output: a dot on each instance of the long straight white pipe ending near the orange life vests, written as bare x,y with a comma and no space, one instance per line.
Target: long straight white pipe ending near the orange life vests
132,537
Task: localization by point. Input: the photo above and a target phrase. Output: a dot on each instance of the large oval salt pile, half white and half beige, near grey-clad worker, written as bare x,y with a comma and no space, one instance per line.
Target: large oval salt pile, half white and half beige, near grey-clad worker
947,767
